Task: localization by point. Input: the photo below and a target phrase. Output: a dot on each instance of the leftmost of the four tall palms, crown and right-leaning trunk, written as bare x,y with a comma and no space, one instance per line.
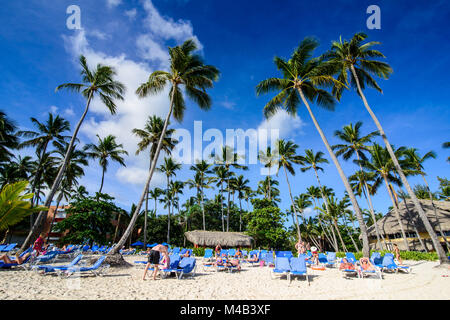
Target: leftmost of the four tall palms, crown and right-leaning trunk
95,82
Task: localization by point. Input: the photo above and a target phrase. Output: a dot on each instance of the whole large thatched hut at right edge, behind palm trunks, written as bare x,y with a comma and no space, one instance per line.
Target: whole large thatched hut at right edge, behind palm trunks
415,231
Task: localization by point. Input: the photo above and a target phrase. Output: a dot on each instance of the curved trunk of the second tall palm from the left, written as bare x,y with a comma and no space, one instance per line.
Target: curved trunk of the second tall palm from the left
152,170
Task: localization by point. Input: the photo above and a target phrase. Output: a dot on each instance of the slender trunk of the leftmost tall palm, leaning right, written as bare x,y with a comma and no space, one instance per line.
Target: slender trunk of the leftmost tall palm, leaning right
39,223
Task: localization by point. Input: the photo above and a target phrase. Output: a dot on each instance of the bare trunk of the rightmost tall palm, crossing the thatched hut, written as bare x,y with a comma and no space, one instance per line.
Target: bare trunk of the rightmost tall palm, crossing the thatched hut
437,245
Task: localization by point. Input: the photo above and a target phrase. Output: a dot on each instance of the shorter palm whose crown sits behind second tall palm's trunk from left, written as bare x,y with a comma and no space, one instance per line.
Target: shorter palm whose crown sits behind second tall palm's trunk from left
149,138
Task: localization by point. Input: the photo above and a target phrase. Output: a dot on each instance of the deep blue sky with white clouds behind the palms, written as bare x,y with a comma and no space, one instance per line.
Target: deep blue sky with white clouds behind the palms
38,52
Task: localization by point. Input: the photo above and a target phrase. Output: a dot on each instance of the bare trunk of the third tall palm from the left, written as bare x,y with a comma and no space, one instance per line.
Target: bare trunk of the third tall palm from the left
359,216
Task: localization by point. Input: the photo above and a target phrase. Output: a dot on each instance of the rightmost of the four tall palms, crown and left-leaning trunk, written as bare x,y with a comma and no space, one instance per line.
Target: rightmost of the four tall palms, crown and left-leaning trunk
356,58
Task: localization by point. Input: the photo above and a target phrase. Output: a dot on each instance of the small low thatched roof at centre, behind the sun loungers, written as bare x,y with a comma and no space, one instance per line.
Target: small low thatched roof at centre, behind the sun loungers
213,238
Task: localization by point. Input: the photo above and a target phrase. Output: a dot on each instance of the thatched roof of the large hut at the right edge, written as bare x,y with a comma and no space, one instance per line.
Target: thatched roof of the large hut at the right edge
389,223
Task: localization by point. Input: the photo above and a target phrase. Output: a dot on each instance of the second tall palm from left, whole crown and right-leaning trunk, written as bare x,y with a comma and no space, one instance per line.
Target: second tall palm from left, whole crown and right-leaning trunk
187,71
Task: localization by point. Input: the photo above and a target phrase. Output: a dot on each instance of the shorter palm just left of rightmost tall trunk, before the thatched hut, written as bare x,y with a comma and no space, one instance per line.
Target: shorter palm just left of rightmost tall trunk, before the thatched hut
381,164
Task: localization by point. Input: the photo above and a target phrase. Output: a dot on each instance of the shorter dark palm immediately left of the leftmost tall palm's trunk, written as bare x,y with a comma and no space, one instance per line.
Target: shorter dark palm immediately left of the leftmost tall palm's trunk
51,130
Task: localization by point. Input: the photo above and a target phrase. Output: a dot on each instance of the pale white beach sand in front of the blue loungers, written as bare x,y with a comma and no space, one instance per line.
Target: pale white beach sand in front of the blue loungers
425,282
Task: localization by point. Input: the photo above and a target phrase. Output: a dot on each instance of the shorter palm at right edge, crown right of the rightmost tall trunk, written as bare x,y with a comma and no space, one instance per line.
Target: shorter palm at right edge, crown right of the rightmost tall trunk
415,160
